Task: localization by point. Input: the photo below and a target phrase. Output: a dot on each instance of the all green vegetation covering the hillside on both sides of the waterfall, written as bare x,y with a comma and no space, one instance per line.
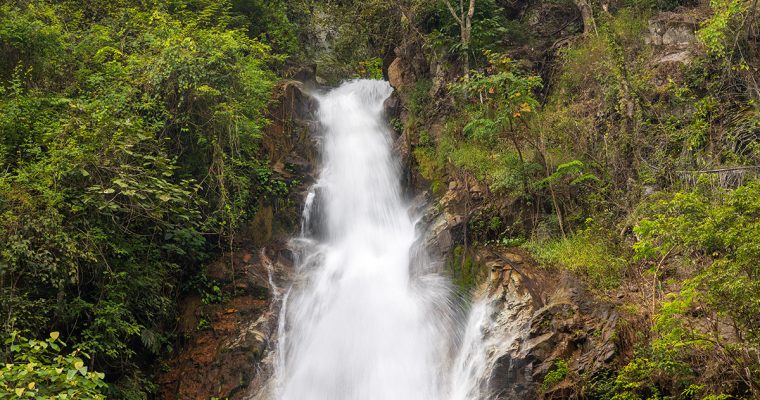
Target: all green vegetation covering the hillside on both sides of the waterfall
129,155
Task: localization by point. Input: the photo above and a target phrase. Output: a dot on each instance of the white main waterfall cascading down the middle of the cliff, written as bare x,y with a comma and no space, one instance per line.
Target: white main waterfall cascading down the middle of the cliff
366,318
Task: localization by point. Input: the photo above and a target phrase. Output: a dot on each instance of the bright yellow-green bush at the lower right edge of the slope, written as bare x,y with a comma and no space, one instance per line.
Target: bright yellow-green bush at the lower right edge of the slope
715,233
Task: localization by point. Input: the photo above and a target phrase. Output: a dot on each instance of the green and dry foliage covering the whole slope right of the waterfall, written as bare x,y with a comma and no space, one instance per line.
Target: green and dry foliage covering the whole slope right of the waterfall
625,169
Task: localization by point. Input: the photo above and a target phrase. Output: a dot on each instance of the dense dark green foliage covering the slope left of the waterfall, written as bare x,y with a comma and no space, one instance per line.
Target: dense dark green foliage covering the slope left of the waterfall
128,146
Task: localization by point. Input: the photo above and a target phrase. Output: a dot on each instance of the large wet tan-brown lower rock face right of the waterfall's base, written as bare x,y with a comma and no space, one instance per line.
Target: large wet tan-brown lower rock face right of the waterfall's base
542,317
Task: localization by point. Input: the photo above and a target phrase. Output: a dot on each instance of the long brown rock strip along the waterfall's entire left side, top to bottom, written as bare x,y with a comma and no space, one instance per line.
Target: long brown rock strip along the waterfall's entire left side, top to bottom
224,338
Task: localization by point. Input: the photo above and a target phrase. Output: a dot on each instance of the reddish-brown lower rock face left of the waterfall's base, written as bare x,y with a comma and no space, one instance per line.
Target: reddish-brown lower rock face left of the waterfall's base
221,344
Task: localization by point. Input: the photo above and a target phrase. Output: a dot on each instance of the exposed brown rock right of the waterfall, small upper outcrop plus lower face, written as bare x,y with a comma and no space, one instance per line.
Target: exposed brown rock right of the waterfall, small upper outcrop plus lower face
538,316
